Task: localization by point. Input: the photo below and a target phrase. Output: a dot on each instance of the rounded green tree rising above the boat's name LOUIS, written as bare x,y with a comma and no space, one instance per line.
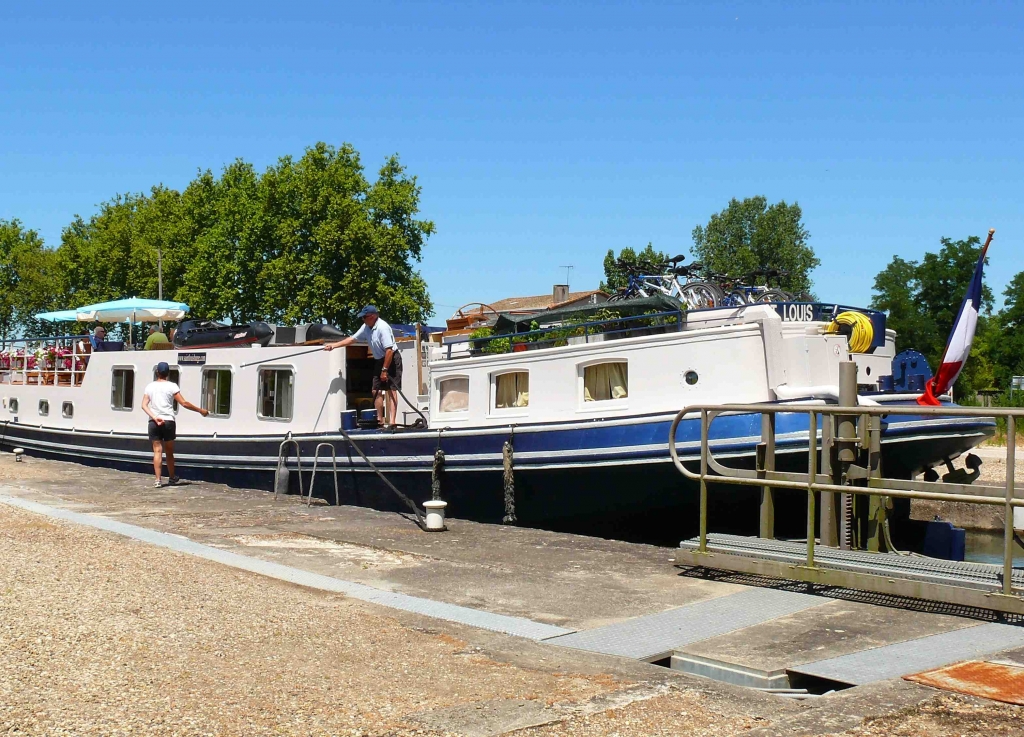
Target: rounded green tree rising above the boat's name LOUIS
752,235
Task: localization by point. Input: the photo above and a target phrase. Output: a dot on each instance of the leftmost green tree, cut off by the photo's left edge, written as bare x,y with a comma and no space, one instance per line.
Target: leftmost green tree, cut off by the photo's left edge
27,274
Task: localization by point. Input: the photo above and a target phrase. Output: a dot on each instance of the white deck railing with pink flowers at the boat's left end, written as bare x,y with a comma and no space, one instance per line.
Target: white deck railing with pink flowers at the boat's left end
49,361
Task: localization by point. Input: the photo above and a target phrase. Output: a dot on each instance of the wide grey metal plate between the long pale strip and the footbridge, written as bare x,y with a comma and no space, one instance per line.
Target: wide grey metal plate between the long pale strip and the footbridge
655,635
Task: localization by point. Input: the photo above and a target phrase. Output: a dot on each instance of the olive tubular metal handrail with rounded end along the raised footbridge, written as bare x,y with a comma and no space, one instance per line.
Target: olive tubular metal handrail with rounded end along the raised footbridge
871,433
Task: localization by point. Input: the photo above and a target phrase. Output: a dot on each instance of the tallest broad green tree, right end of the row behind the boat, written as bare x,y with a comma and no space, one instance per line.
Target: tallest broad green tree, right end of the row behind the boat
308,240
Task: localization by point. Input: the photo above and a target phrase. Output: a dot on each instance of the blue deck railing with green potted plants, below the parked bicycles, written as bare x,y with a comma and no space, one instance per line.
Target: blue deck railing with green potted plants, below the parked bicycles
572,332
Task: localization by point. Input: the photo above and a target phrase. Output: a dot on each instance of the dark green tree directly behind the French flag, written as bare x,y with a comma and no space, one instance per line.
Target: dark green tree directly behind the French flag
922,300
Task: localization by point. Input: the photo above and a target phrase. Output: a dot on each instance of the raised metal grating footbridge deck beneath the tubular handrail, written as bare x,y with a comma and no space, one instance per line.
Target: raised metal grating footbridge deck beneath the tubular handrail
932,571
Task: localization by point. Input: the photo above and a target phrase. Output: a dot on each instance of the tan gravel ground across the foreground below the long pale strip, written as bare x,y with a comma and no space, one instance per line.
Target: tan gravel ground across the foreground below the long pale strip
104,636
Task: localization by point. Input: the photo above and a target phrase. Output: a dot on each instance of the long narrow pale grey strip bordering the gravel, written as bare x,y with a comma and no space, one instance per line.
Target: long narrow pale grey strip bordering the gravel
441,611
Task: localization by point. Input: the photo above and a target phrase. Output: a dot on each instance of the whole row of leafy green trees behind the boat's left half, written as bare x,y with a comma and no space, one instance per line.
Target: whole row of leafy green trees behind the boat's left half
307,240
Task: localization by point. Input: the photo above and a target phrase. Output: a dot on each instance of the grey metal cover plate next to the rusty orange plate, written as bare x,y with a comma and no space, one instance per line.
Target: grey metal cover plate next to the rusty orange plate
916,656
